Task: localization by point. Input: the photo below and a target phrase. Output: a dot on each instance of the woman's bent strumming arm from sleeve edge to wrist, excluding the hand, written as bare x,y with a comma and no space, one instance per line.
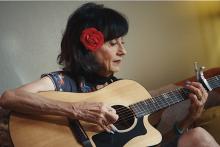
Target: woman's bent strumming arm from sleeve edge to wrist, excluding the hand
24,99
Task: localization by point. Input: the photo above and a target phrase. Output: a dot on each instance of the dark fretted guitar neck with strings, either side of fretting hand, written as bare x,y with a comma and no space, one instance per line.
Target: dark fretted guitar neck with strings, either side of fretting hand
167,99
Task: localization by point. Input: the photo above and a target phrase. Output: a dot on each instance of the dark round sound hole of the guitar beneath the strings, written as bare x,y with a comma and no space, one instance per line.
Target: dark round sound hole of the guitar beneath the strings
126,117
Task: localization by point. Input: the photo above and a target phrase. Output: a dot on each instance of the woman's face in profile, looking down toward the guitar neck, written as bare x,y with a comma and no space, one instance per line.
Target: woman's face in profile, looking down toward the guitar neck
110,56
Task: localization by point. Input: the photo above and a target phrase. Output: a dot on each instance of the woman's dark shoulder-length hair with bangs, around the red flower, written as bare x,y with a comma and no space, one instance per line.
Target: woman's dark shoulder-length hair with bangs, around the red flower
74,57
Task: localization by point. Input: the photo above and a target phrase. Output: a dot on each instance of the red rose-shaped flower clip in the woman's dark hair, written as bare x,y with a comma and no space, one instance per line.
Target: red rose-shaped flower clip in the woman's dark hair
92,39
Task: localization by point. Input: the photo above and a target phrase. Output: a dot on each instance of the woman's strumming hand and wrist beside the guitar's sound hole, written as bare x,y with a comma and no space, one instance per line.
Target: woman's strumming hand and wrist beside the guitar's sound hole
96,112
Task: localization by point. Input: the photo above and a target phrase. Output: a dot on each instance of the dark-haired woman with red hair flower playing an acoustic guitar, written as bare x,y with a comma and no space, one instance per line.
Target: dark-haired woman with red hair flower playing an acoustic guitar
92,49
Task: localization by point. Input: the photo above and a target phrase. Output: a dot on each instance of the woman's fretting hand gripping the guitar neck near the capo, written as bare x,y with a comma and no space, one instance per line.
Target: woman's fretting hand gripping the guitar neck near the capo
198,97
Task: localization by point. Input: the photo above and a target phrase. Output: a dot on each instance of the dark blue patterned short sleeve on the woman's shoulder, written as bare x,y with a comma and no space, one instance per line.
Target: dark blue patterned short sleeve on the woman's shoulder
62,81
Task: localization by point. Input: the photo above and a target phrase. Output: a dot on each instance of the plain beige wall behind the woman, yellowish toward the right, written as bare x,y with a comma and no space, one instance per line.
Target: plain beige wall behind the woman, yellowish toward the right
164,40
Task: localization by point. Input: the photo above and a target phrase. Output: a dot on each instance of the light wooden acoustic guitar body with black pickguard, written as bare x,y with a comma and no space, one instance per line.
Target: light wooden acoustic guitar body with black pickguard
54,131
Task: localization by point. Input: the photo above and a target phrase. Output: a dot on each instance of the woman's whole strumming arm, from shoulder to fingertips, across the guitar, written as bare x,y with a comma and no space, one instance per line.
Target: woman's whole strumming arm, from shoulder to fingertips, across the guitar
24,99
